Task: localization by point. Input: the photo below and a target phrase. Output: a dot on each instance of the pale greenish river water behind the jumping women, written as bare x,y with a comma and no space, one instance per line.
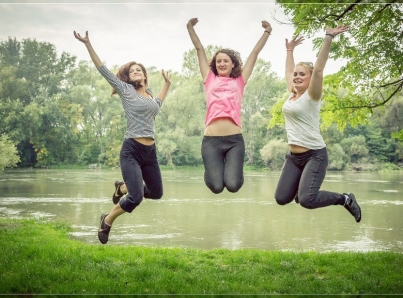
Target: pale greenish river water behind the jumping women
189,215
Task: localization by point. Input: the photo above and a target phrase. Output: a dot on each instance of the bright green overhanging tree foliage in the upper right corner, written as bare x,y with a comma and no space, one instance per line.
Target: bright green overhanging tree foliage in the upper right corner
372,50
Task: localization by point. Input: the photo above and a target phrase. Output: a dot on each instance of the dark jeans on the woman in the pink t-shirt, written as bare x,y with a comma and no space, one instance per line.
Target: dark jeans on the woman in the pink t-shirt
223,158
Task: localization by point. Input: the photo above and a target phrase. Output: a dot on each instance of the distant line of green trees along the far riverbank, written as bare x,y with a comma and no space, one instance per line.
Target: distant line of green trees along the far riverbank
57,111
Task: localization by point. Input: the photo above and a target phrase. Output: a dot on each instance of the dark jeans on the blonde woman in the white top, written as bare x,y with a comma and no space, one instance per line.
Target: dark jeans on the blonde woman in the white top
304,173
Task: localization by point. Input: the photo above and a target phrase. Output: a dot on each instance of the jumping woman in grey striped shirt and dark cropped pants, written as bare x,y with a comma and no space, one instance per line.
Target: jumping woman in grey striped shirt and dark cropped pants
138,159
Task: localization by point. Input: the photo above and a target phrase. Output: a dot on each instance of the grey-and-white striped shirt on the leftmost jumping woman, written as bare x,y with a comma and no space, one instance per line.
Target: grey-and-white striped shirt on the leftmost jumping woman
140,111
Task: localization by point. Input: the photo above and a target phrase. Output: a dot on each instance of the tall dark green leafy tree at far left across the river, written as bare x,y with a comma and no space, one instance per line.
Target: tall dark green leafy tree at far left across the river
34,77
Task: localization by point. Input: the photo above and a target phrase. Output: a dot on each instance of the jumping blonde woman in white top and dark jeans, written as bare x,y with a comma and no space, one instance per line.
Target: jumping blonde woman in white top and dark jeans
305,165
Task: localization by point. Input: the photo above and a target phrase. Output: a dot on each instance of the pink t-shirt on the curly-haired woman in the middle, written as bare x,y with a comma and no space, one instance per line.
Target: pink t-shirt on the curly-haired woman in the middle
224,97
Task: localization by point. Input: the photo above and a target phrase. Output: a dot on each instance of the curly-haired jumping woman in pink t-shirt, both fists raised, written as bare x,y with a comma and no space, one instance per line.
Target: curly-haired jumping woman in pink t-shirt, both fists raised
223,148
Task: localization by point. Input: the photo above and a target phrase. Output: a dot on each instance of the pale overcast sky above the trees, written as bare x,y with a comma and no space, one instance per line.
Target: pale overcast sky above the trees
153,32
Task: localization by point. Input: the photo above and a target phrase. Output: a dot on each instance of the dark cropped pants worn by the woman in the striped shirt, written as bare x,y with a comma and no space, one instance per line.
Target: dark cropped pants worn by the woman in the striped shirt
141,174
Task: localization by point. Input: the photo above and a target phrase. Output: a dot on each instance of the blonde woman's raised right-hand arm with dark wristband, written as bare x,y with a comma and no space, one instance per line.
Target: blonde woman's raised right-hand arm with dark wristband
316,84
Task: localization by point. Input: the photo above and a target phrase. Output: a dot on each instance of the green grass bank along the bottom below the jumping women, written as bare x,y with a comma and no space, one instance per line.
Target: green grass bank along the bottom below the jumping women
40,258
